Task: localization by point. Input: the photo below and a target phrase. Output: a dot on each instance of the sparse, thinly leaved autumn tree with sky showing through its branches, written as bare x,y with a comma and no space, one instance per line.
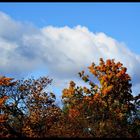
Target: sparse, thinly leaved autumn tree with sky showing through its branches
30,107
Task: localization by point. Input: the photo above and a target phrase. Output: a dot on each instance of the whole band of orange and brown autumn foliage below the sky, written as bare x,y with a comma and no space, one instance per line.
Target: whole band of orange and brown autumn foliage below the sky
104,108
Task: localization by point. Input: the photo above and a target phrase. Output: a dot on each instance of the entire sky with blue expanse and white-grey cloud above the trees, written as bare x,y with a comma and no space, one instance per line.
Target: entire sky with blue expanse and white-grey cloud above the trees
61,39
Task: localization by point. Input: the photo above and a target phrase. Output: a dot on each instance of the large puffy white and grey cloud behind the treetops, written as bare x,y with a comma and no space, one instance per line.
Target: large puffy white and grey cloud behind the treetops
62,51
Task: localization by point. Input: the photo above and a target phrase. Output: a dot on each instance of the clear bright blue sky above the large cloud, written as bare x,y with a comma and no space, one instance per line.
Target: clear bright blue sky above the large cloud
119,20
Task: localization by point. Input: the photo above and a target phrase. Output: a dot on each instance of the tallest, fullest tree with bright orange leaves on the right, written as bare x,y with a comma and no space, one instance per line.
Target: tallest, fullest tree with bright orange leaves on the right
107,105
